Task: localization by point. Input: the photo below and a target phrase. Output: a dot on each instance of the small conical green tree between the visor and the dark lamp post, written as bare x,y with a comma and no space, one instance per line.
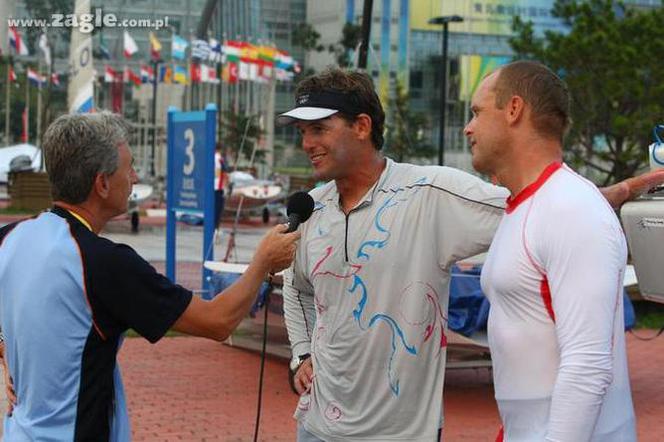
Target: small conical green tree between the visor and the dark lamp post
405,136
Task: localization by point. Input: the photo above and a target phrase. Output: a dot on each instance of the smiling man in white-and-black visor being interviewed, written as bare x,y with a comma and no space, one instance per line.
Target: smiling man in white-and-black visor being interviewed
366,298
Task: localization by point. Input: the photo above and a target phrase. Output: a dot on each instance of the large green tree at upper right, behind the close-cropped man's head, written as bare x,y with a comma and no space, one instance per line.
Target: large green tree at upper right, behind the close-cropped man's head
611,61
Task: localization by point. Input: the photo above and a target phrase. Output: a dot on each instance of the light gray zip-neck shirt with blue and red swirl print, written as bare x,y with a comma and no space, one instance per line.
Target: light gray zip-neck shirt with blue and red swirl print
367,296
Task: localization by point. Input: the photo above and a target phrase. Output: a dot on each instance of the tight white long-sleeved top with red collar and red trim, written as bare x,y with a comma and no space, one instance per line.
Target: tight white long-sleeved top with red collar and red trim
554,276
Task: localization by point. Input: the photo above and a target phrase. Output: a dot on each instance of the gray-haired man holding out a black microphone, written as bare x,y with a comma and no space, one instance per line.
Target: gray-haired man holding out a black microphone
67,295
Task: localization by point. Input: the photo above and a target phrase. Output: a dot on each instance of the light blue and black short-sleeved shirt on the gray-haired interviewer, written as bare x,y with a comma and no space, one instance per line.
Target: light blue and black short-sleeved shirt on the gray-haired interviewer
66,298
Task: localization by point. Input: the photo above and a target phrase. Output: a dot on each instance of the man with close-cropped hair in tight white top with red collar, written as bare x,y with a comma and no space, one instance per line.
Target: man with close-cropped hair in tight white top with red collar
553,273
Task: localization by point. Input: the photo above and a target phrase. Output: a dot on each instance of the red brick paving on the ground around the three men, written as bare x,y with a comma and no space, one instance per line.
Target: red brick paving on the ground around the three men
192,389
